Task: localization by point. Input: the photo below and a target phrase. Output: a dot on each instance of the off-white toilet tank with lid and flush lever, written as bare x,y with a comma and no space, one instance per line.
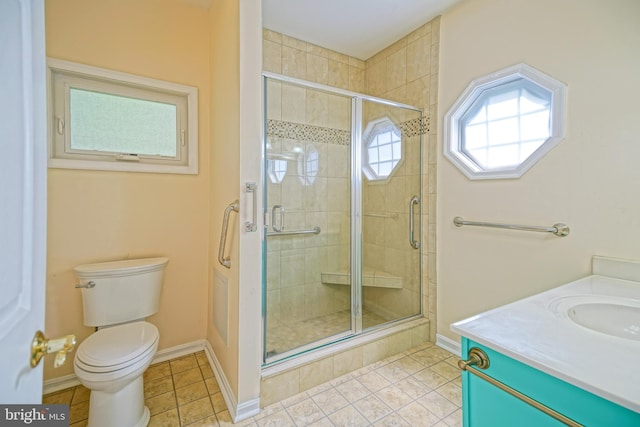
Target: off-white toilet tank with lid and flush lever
124,290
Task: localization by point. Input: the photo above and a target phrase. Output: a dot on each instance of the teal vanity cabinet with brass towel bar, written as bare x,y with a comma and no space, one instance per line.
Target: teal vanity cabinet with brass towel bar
487,405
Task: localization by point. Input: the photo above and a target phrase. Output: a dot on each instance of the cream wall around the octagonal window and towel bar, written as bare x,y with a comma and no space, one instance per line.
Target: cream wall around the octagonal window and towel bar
590,180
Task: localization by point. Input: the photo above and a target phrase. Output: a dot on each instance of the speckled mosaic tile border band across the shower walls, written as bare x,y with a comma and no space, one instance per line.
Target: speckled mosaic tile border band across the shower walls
320,134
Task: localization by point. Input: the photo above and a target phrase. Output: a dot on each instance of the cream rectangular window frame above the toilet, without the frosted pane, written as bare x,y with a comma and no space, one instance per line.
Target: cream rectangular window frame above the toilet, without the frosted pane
62,76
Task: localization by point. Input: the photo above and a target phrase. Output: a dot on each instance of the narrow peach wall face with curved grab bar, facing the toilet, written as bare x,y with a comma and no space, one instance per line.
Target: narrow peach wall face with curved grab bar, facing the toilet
225,178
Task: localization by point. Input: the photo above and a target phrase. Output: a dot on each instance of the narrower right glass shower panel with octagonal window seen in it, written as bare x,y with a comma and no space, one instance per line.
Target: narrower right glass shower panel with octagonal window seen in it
391,212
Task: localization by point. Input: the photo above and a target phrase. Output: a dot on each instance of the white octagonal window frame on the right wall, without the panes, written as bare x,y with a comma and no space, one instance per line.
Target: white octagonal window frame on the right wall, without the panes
454,148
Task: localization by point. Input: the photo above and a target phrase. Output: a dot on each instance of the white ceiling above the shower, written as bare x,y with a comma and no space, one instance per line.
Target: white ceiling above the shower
359,28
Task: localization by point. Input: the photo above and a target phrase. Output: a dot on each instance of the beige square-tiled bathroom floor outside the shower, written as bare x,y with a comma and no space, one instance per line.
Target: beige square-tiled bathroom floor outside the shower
419,387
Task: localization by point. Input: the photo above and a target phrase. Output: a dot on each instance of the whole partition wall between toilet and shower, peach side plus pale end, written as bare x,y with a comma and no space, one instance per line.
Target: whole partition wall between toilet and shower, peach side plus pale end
236,123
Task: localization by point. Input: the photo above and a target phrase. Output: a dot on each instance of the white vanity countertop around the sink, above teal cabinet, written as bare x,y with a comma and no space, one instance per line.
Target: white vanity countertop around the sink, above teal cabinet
531,332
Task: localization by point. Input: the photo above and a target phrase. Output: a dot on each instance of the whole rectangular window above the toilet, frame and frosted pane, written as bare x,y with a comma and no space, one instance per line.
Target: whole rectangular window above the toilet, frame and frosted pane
107,120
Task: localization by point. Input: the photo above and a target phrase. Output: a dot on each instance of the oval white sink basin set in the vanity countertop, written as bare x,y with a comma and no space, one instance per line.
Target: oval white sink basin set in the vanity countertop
613,316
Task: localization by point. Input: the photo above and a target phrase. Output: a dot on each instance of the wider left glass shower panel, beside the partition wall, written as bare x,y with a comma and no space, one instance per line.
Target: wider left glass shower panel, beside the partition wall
307,293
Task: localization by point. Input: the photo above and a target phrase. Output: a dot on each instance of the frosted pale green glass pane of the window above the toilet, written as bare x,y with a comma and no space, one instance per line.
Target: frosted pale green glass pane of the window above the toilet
119,124
